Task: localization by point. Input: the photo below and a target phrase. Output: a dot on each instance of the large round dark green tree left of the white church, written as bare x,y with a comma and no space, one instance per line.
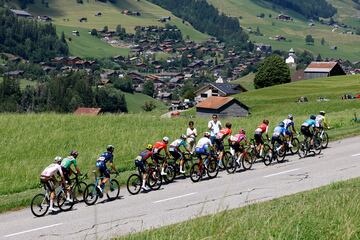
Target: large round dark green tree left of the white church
272,71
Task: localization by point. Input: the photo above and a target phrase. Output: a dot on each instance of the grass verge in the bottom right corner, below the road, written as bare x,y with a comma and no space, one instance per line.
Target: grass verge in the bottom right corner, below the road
330,212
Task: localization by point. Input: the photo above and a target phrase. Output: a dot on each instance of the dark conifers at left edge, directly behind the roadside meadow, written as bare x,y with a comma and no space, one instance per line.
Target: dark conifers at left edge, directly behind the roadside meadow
60,94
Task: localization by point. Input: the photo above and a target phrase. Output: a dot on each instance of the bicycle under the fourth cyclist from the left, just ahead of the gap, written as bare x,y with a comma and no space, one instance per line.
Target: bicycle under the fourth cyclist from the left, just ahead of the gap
154,180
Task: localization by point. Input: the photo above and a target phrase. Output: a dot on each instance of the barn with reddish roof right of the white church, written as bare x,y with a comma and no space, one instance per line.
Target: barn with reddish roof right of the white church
323,69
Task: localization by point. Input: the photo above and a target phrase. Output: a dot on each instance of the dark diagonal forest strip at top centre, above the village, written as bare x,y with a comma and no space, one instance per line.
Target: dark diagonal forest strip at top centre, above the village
206,18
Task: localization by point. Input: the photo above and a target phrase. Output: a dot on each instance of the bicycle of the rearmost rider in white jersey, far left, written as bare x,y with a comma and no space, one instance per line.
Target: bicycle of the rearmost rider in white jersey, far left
41,202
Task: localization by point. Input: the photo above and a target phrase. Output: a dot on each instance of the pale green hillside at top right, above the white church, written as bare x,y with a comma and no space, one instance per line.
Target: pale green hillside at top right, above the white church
295,31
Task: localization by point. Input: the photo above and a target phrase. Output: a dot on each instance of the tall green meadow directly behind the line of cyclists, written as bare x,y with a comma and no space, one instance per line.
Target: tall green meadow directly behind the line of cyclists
30,141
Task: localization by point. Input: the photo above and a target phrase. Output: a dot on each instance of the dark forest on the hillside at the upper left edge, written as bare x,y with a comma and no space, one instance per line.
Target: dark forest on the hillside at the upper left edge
29,39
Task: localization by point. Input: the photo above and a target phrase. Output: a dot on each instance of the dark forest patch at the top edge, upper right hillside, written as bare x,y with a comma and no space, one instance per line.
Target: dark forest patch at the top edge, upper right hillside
308,8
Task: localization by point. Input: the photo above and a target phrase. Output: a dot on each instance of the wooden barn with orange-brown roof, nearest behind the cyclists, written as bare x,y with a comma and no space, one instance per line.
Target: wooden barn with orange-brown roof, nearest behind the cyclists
222,106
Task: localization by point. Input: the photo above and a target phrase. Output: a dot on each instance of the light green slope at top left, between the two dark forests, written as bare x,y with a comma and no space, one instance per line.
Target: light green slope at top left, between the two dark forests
69,9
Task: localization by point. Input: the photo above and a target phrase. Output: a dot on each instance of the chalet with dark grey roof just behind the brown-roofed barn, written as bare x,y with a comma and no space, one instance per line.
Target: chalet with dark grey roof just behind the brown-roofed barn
218,89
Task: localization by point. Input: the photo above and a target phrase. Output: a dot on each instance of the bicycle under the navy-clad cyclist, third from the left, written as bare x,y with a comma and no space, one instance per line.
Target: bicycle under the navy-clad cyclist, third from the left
91,193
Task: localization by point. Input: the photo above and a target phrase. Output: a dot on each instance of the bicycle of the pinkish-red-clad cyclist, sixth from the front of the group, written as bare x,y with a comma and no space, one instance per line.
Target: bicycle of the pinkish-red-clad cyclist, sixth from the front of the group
244,159
